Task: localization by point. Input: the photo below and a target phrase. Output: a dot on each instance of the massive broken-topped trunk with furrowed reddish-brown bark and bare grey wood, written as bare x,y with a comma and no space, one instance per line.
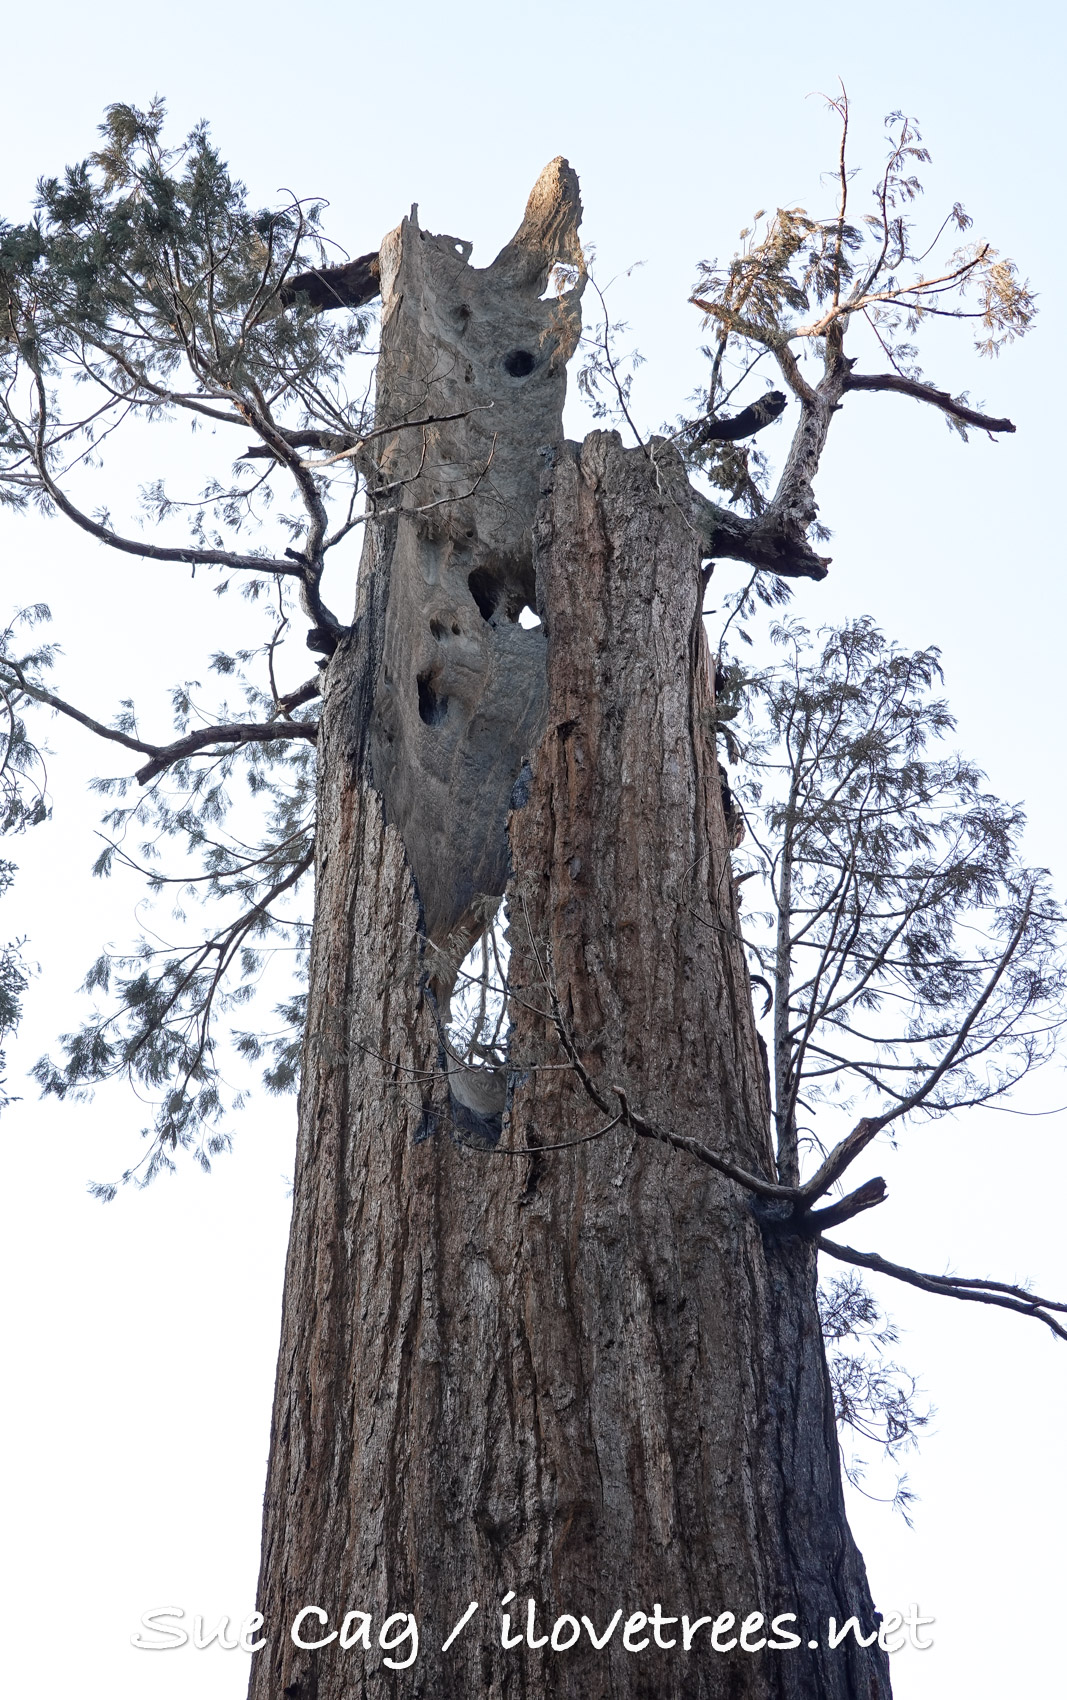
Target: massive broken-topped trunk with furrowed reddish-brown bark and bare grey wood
587,1376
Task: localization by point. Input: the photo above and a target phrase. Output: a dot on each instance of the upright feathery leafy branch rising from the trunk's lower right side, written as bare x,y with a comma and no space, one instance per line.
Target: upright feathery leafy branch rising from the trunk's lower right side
913,960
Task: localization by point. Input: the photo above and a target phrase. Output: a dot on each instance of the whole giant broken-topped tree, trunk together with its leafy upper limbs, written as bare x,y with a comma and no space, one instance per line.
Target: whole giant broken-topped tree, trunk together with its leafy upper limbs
551,1322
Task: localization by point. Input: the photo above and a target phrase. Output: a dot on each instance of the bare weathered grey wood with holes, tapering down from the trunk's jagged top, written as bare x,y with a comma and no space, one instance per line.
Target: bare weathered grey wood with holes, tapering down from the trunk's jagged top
461,688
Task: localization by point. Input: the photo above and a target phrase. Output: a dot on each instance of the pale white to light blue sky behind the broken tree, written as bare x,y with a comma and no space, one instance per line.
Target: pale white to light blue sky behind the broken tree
142,1337
